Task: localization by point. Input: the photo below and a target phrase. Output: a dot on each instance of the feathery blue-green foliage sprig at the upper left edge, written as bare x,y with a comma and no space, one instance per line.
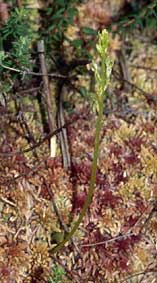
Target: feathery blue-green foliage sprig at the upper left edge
16,39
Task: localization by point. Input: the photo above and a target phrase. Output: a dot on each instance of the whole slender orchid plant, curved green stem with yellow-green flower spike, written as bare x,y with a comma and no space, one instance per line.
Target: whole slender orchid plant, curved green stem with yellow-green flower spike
102,75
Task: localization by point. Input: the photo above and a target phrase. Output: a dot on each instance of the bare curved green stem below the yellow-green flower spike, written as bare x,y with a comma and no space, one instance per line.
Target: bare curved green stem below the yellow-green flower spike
92,180
